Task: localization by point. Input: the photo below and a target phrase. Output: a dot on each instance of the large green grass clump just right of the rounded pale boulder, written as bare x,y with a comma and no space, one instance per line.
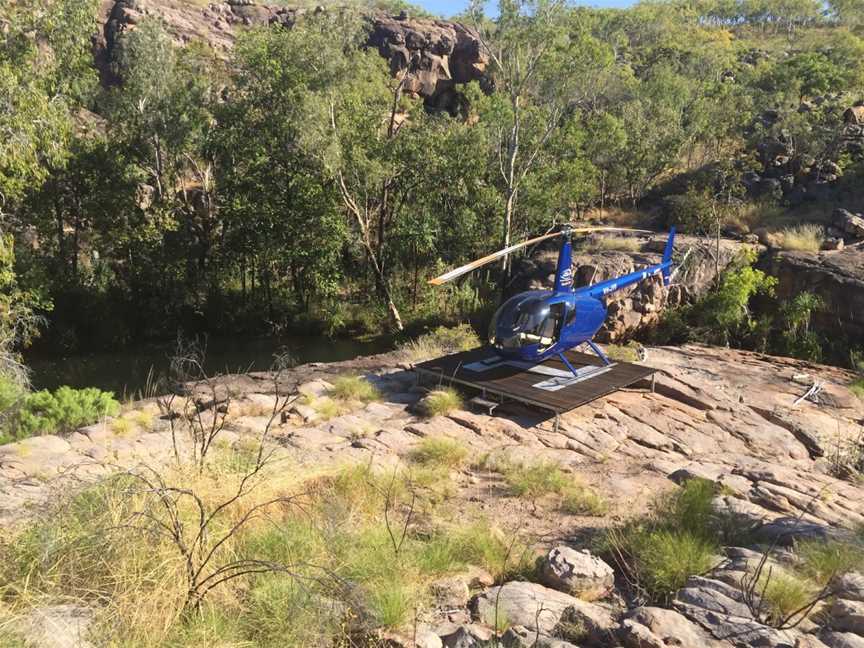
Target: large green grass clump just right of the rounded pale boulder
680,538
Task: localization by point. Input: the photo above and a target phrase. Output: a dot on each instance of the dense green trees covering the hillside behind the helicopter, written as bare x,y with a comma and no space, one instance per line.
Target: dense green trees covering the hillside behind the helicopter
297,185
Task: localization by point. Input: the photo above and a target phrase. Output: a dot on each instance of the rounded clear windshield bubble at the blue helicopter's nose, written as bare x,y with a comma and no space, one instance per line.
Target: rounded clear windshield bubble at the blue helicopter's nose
522,321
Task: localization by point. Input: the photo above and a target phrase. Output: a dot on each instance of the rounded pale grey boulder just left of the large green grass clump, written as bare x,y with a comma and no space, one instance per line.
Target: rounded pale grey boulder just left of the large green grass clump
577,572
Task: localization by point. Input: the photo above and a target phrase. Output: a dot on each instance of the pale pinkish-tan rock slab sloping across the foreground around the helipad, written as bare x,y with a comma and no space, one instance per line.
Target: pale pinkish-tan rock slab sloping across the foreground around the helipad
785,467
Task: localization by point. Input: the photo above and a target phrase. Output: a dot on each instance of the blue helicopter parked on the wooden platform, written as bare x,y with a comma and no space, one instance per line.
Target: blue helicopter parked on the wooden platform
537,324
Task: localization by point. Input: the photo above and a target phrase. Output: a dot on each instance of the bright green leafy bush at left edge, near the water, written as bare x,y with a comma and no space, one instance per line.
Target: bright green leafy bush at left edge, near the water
63,411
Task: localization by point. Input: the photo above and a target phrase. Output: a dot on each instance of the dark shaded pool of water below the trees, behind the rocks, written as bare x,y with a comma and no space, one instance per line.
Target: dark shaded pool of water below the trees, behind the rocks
126,372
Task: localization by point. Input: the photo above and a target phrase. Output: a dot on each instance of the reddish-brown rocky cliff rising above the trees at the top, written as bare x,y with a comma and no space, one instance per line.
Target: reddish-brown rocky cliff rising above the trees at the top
438,54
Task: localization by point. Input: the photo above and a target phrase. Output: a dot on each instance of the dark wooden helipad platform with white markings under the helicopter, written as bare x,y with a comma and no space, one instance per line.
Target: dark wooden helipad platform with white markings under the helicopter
505,381
